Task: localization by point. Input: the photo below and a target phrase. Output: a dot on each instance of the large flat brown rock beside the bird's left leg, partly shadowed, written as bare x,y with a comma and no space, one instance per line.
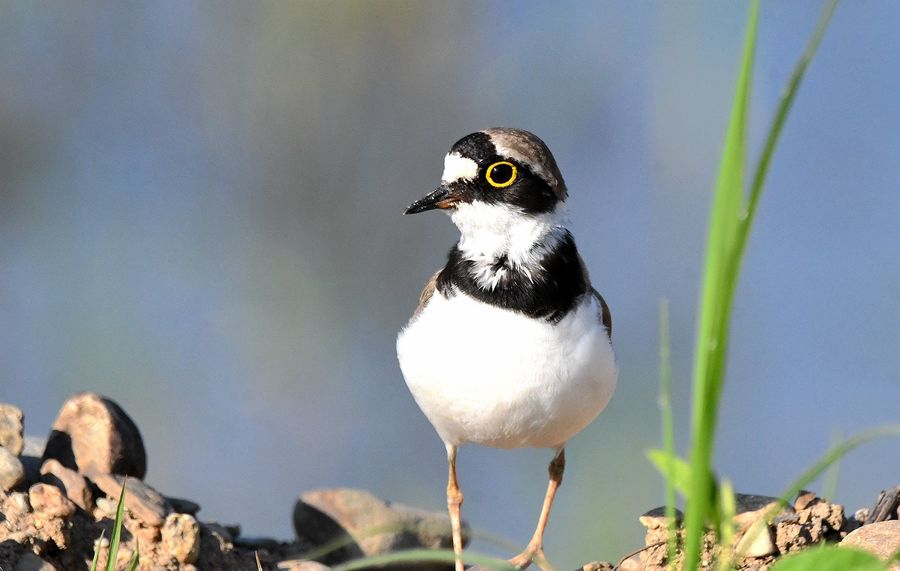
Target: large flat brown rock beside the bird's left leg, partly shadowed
375,526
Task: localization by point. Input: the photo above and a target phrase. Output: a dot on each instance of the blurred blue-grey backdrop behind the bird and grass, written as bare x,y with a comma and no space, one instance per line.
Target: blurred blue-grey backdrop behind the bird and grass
200,218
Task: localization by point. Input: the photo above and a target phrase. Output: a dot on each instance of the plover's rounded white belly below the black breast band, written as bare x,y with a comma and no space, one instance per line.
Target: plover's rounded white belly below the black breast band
495,377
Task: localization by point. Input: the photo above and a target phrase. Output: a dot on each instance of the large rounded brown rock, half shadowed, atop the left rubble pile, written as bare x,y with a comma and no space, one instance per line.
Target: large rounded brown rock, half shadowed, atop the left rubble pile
93,435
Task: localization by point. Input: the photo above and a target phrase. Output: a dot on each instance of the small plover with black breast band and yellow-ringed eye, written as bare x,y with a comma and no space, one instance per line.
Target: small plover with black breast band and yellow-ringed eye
510,345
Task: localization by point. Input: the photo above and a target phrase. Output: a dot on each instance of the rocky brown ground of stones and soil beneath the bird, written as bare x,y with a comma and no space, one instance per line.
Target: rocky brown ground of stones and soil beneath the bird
58,496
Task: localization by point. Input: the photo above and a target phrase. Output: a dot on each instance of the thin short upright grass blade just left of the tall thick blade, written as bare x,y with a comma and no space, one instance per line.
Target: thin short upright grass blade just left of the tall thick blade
668,424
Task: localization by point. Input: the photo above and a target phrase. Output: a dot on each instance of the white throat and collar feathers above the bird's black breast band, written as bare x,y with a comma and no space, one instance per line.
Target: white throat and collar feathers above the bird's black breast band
491,231
